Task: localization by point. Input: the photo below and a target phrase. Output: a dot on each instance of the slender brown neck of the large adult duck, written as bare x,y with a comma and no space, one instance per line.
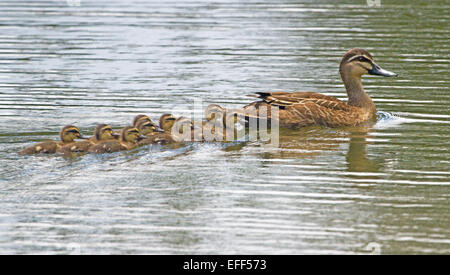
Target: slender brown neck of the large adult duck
356,95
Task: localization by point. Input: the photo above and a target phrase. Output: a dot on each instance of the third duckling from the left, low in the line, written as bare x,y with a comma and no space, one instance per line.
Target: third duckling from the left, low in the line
128,140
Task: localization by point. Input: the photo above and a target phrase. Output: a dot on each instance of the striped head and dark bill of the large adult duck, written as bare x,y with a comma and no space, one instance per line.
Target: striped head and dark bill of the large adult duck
358,62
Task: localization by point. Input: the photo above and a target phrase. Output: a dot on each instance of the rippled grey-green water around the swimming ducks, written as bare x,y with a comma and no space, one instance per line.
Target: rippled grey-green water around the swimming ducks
375,188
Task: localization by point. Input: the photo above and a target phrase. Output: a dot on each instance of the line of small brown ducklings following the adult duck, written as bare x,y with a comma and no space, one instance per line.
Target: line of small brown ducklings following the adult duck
143,132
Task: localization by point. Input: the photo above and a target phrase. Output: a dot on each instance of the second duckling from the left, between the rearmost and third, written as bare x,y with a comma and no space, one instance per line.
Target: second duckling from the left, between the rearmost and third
102,132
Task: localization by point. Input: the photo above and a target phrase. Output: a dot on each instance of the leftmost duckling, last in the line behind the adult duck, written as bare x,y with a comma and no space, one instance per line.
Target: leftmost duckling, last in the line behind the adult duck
67,135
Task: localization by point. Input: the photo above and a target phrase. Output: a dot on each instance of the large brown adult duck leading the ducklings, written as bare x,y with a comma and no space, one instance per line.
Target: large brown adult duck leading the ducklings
298,109
